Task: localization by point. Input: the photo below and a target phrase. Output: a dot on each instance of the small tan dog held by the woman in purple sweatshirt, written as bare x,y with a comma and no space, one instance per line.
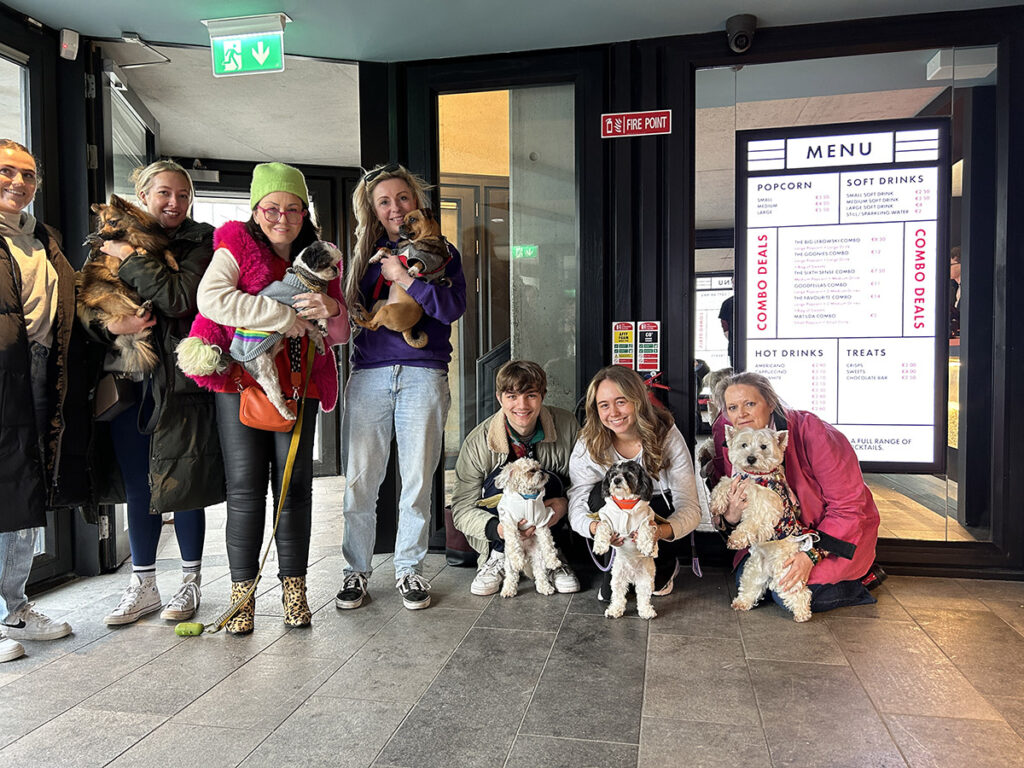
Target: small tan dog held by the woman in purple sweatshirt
425,254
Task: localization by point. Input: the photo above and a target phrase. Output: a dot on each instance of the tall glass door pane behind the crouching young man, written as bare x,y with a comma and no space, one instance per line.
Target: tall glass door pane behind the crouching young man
508,195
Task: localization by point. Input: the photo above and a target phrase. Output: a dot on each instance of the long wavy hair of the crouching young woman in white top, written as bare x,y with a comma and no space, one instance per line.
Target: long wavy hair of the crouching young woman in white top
654,422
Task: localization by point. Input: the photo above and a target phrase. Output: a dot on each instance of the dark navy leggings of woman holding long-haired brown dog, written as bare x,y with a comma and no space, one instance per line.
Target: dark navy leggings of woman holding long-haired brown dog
133,451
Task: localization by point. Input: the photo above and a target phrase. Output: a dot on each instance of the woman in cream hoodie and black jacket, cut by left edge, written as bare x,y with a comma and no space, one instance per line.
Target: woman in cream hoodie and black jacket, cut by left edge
37,315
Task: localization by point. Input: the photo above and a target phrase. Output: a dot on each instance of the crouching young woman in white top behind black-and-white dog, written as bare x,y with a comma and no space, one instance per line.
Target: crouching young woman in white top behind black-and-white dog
623,424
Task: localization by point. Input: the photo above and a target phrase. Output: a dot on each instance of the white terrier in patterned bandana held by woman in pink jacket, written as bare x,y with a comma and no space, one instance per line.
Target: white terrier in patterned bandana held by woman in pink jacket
771,525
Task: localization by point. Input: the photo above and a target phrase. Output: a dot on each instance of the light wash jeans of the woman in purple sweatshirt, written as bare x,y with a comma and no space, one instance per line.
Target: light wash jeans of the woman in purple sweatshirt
411,404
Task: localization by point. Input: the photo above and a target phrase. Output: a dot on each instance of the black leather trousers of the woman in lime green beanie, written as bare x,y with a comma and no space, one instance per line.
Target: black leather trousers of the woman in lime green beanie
252,457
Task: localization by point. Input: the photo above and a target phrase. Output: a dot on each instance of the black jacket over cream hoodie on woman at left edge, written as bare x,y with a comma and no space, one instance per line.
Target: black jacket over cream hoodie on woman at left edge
26,489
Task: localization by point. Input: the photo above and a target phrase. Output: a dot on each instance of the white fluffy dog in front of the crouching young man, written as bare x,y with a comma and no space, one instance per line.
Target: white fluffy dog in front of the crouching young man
523,485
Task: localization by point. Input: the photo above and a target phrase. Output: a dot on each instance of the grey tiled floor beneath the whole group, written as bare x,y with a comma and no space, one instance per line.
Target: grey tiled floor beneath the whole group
933,675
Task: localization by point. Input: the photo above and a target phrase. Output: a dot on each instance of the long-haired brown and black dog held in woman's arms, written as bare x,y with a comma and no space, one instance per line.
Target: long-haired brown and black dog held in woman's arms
103,297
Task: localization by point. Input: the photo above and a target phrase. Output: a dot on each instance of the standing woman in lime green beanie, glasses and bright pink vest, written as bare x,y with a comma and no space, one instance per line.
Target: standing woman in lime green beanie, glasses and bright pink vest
248,258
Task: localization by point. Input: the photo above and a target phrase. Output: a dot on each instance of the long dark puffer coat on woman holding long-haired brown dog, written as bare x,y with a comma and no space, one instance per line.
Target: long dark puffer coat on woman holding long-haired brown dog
186,466
